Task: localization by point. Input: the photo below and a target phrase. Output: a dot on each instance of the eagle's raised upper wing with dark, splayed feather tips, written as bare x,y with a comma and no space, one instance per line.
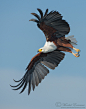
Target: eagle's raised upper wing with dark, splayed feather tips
51,24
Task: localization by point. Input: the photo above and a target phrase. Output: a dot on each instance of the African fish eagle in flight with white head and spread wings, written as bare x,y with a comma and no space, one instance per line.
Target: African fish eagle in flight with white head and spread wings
50,55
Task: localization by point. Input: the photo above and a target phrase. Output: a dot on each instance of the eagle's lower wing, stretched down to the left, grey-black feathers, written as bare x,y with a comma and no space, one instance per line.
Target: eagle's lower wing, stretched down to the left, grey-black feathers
36,71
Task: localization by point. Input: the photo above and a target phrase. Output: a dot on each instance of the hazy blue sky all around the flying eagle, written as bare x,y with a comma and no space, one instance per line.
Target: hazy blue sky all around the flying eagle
19,42
